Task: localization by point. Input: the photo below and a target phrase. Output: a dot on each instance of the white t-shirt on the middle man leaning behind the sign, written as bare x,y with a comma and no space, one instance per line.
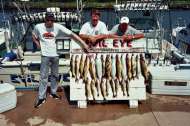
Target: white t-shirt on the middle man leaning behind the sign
99,29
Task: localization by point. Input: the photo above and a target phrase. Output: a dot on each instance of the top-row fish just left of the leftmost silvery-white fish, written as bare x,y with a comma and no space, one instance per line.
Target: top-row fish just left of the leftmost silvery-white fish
92,68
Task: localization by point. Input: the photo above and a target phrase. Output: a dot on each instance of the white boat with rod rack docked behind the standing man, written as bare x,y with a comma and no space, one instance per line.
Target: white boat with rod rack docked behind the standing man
23,72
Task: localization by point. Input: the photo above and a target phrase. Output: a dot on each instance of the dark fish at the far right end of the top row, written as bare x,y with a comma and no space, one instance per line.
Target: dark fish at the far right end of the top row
144,70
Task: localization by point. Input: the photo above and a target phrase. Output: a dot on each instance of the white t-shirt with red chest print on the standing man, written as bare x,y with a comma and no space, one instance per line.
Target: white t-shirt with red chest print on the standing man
47,37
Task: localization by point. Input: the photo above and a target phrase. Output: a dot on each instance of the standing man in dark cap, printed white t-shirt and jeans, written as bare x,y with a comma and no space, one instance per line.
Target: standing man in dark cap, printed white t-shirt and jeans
44,36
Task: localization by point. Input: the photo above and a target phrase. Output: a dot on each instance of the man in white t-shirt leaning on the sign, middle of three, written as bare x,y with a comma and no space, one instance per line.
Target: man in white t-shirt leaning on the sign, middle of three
95,30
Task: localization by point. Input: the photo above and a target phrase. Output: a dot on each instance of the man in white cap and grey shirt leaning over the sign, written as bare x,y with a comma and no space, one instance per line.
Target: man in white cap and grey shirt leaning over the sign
127,32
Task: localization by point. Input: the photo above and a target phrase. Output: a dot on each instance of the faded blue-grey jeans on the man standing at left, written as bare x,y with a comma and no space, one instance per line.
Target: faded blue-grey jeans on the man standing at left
53,64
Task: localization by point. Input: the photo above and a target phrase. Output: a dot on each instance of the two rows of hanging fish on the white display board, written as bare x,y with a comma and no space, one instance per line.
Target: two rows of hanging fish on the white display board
105,73
